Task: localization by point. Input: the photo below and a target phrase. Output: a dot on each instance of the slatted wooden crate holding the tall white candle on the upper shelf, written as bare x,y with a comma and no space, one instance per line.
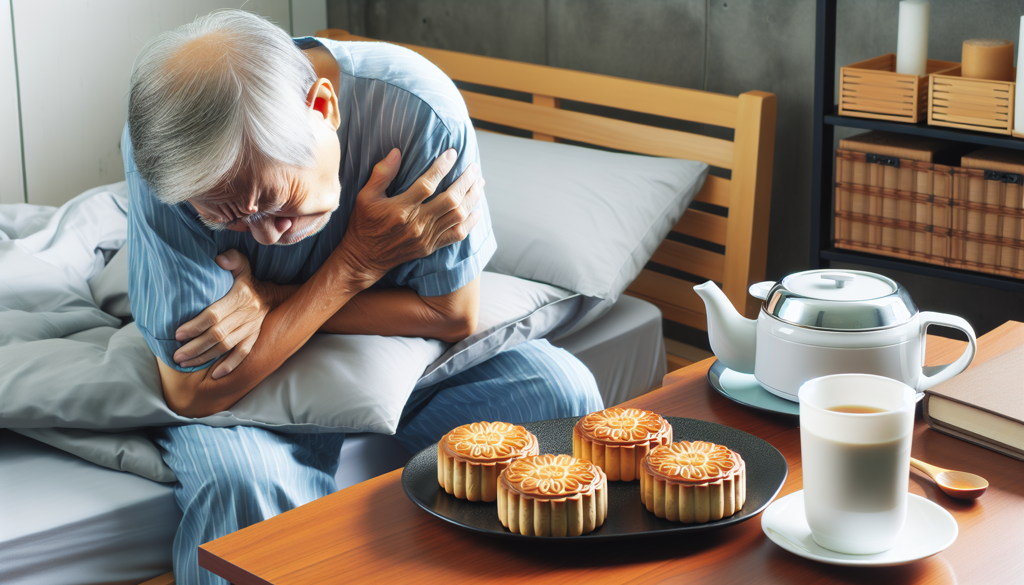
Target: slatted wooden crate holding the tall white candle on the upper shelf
873,90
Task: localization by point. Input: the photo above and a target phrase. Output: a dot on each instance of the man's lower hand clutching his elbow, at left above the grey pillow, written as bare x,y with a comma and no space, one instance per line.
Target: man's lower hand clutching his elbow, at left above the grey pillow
231,325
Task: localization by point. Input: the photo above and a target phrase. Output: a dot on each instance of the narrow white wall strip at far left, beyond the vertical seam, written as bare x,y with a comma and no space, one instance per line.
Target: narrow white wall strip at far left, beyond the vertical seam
11,137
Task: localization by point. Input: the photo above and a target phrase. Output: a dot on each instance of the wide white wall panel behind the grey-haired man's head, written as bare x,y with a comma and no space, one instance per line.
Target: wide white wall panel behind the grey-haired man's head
74,65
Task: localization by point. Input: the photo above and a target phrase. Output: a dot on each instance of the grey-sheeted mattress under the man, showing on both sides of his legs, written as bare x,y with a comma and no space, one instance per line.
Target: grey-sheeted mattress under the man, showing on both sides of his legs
66,521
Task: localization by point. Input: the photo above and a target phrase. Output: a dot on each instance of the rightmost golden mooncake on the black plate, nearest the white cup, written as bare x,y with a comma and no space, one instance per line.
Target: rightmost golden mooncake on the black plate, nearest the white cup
694,483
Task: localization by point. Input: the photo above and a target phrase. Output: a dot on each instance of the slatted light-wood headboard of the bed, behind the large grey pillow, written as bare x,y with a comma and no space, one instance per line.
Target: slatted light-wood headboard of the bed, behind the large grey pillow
734,219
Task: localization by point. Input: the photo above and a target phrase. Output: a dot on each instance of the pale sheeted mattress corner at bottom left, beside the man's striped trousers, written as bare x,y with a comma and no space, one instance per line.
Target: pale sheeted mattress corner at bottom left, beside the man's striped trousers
64,520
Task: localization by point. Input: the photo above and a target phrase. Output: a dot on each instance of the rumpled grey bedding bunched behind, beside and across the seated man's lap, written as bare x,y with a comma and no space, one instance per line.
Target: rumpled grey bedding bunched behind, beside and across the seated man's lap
71,374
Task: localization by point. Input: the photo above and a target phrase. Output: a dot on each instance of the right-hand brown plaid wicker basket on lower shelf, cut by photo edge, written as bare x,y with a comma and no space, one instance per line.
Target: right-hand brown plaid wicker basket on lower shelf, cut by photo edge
988,233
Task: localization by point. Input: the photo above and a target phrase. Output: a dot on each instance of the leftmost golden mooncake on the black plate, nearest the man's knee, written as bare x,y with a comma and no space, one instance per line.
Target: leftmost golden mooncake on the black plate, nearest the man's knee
472,457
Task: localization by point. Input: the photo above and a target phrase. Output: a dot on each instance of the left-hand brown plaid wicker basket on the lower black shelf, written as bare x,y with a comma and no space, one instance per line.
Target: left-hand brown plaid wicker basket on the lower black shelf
891,198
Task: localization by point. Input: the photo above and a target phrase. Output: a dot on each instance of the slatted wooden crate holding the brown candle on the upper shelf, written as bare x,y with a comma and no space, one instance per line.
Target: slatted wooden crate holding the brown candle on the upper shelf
971,104
